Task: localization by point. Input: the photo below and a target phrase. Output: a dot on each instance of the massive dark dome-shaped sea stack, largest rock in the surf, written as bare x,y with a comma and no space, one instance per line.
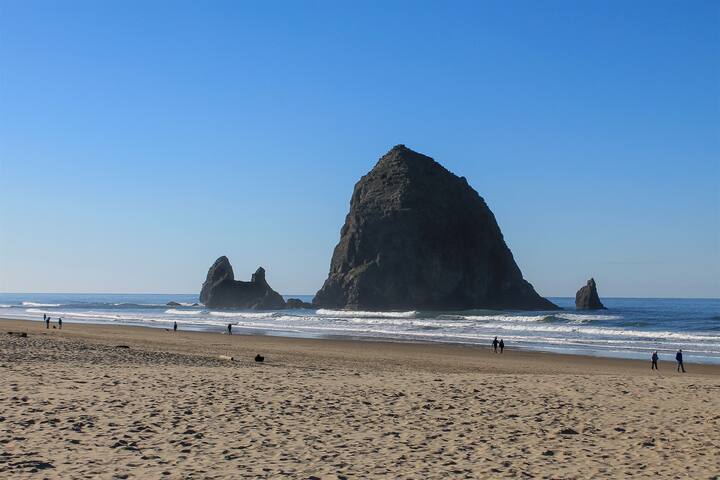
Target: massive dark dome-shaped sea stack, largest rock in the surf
419,237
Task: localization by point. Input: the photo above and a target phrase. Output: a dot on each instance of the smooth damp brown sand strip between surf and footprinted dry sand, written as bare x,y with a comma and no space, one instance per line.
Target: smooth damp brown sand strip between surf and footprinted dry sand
202,343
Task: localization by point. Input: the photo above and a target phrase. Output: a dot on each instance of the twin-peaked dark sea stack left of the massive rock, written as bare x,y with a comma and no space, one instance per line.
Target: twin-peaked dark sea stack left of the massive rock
221,290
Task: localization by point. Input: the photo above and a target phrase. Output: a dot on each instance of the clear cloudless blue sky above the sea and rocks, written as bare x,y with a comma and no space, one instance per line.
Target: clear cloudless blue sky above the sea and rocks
140,140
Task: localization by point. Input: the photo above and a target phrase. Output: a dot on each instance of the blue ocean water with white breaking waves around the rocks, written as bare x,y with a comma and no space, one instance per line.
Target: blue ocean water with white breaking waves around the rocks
629,328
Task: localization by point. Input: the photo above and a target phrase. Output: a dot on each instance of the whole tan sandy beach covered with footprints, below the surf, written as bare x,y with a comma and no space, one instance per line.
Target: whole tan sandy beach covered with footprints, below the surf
75,405
